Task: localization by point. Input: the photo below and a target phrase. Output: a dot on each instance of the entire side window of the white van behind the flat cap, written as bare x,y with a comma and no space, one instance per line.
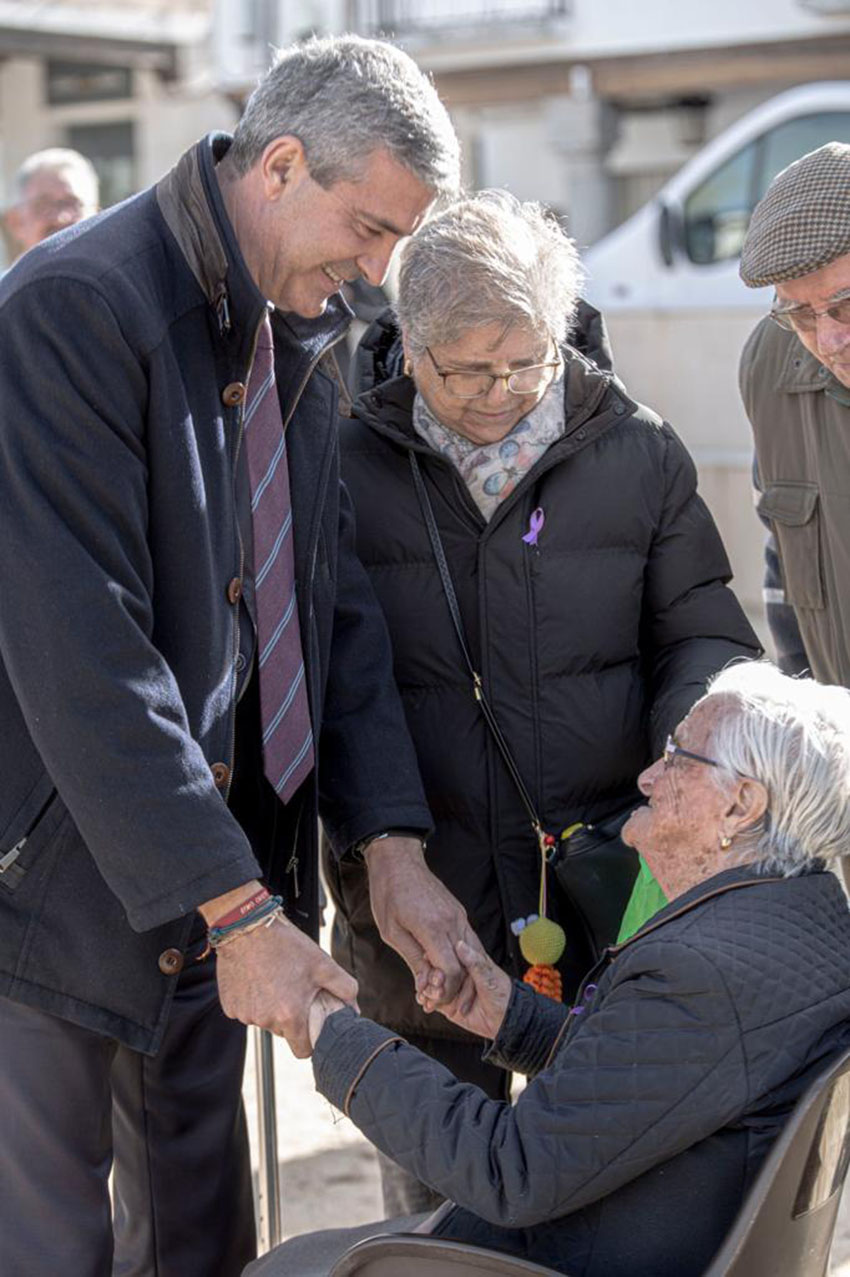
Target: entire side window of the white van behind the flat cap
717,214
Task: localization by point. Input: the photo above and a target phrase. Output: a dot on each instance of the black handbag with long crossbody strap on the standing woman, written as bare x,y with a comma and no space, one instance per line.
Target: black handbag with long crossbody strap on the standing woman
589,864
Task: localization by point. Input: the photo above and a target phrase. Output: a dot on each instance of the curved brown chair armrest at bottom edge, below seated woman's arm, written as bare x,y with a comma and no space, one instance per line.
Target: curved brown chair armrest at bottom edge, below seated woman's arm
421,1256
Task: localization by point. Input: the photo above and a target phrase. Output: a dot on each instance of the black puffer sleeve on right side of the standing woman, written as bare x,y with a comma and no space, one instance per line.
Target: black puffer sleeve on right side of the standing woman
692,623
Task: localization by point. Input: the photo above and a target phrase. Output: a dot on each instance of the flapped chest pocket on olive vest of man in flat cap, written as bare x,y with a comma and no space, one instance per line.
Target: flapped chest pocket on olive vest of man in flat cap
794,510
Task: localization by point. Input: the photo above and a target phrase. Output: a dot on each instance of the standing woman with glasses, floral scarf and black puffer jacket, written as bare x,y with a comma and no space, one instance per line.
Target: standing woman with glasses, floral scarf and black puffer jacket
590,584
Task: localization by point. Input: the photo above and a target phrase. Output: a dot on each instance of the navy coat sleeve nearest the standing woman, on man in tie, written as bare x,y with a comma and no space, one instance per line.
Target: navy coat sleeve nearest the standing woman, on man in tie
369,777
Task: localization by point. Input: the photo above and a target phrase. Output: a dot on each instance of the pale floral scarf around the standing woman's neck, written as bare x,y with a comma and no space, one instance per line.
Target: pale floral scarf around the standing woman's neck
493,471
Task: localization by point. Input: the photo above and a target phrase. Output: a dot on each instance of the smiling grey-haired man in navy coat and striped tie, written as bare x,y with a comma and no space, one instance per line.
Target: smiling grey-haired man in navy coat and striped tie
161,750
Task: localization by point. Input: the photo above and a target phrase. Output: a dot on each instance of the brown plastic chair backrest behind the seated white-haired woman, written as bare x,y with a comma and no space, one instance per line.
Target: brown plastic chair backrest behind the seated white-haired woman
786,1225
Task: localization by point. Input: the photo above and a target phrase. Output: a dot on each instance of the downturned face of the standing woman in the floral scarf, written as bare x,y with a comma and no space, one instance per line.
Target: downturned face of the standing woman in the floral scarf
483,351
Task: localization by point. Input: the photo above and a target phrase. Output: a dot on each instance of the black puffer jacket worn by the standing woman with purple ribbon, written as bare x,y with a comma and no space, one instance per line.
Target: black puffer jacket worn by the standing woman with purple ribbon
593,647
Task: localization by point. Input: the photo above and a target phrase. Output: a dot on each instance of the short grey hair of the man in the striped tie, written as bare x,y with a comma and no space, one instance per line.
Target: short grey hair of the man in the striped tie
345,98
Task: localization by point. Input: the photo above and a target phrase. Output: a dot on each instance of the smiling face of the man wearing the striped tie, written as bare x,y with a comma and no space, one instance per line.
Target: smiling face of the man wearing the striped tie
313,239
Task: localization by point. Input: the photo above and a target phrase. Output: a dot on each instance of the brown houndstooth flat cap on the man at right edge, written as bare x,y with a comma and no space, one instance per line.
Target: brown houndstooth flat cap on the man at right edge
803,223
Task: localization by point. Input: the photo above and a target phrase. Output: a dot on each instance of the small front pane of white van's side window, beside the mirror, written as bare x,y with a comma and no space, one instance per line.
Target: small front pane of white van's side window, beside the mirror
717,214
